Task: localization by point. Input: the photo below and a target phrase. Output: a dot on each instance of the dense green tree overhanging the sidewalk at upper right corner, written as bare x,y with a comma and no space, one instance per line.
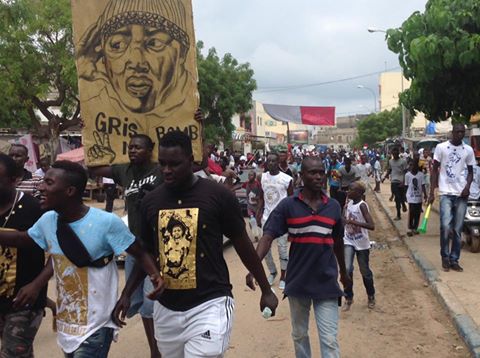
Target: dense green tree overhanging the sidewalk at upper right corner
439,51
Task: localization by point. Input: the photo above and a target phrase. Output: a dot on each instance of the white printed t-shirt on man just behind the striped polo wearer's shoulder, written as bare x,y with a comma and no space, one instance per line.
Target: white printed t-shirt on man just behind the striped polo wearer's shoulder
274,189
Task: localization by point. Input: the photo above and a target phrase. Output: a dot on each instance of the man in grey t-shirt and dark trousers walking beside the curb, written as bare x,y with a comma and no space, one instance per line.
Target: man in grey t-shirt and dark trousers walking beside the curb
397,168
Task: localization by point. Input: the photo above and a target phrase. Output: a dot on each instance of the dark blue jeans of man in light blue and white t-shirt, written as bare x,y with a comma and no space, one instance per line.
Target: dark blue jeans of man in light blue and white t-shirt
95,346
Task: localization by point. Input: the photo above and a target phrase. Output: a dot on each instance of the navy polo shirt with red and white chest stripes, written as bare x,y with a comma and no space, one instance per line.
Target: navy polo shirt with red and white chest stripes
312,270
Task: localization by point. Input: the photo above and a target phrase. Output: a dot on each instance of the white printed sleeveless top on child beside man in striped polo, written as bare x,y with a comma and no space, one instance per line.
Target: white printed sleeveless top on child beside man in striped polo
354,235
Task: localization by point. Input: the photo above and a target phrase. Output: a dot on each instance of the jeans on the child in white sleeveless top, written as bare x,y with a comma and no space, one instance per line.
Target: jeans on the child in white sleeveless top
363,257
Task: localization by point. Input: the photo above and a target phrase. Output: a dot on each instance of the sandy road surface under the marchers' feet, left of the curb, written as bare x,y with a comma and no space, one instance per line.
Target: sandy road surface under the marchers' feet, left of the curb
407,322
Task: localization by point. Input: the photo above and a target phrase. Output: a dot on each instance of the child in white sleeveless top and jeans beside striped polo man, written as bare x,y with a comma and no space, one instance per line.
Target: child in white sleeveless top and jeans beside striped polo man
356,242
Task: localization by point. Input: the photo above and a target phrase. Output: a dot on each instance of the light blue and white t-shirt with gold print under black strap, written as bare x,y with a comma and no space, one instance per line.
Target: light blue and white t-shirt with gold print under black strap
85,296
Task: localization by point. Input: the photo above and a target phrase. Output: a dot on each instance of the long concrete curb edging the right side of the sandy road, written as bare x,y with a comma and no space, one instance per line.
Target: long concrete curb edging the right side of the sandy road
466,327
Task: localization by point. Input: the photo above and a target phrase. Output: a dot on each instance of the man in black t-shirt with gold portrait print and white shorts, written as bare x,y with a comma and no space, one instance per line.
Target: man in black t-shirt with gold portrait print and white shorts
183,223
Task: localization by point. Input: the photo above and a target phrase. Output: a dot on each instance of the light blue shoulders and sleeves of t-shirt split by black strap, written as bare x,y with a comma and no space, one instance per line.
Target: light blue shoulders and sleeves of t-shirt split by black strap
101,233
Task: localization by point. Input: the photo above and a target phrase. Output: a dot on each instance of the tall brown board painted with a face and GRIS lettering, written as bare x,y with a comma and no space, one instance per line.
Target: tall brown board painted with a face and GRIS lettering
137,73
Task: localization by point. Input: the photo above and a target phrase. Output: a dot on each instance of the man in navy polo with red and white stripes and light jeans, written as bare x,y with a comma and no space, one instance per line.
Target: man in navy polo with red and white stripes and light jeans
315,230
